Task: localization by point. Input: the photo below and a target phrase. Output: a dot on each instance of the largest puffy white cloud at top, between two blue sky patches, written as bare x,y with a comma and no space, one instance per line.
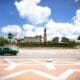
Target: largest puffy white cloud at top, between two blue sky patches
36,14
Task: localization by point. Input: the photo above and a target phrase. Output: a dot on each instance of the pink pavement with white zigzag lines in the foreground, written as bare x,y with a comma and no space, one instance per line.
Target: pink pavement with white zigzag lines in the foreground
39,69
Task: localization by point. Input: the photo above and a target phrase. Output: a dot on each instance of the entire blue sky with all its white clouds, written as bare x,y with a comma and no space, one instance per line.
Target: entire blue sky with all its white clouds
61,18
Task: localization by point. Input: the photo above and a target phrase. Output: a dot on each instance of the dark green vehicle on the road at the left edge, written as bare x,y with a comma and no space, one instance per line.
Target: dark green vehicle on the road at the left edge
8,51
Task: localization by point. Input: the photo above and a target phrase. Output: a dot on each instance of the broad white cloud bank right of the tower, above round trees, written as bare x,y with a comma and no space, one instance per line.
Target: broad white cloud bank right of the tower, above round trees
62,29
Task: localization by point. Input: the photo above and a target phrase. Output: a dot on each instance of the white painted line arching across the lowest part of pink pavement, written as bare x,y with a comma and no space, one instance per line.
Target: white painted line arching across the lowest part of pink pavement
27,71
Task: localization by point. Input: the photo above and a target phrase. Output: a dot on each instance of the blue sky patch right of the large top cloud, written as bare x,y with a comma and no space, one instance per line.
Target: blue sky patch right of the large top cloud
62,10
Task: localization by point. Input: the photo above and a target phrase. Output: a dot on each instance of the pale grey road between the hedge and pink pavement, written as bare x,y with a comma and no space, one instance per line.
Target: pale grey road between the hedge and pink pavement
46,54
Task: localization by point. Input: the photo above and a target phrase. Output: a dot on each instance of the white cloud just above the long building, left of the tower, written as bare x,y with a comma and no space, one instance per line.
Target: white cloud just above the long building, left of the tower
30,30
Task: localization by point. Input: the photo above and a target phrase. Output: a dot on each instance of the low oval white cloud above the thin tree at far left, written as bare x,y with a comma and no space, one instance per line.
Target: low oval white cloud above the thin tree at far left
11,28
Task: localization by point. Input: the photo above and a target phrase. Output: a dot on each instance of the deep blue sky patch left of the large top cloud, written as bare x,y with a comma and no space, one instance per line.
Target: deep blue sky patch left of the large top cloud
9,13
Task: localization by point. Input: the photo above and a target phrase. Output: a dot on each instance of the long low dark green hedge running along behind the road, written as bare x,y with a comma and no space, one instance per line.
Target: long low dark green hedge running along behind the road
46,44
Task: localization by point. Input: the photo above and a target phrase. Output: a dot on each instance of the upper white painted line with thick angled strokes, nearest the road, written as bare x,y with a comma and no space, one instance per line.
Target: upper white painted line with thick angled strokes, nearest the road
49,65
